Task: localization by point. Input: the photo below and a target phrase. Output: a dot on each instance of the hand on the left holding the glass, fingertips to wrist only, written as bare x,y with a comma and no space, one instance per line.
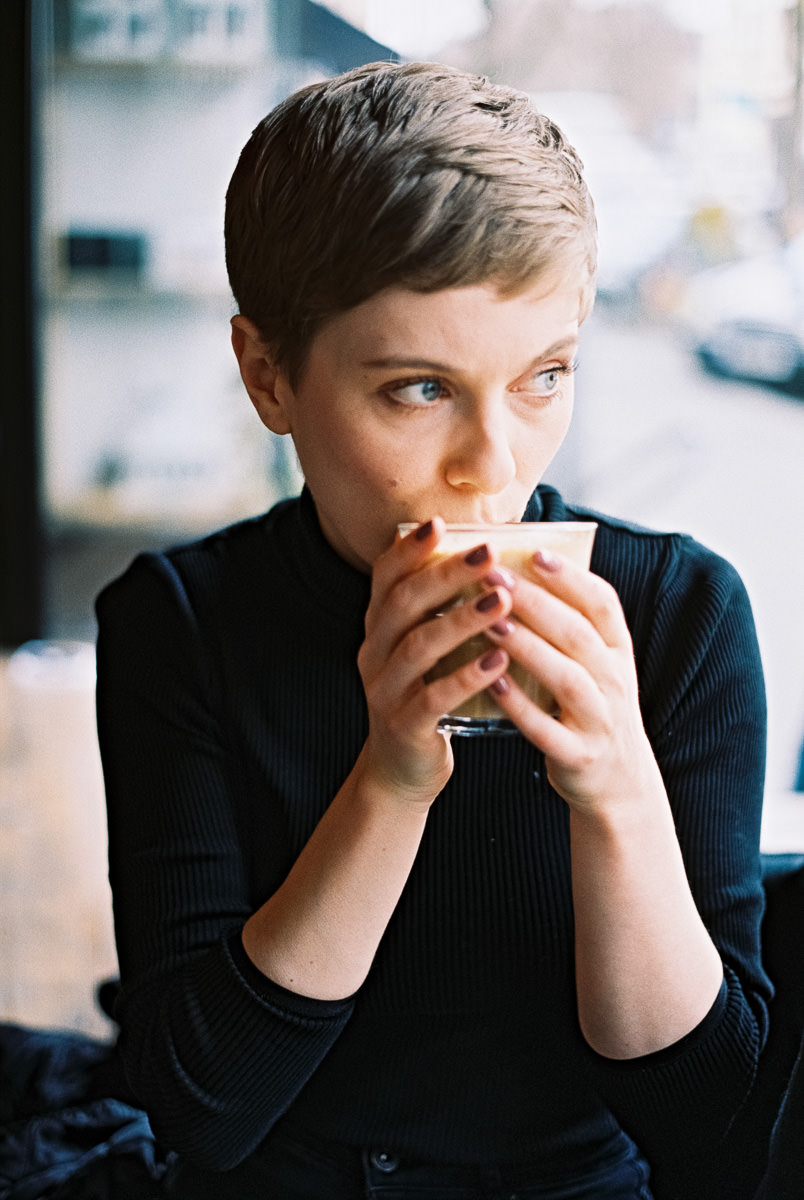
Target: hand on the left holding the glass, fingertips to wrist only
405,640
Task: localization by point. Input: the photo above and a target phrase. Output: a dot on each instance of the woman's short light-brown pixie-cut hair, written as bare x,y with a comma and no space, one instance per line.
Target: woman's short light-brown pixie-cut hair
415,176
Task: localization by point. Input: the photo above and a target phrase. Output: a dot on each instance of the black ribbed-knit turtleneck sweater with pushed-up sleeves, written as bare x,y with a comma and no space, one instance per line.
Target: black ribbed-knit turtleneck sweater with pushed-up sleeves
230,713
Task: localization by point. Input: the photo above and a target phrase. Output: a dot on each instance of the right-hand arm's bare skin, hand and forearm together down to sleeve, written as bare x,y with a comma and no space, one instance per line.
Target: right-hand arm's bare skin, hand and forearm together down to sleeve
635,916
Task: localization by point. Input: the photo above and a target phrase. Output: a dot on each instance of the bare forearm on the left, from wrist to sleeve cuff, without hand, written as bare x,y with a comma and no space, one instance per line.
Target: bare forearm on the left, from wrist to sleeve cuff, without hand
319,934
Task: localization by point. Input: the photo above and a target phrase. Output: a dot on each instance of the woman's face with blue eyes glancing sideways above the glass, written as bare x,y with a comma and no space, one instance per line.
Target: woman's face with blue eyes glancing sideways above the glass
451,404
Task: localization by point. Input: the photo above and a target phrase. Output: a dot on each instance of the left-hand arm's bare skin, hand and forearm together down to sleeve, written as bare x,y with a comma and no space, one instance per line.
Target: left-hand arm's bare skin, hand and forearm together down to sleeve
320,932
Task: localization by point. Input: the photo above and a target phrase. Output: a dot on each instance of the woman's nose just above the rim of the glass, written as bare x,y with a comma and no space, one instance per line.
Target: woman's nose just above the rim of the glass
481,455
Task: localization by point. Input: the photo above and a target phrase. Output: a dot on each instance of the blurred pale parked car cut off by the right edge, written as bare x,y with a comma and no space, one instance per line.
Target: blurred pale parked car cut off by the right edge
747,319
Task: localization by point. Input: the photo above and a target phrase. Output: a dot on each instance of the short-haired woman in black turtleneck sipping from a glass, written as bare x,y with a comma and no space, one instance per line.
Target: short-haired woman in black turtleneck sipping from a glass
359,958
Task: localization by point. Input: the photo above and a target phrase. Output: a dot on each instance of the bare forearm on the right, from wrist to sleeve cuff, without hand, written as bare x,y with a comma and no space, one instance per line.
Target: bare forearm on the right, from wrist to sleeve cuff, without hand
647,971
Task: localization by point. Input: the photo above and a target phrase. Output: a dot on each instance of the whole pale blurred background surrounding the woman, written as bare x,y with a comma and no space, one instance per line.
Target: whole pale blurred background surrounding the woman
123,421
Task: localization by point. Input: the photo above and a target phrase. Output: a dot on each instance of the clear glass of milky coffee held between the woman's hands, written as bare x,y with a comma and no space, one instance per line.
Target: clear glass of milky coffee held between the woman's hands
515,545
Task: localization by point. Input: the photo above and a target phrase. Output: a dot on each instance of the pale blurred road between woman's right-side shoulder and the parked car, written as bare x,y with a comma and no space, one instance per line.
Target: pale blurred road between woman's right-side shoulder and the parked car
662,442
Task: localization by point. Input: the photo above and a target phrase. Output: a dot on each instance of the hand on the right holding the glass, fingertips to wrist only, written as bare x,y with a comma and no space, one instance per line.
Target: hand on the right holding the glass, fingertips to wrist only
571,633
